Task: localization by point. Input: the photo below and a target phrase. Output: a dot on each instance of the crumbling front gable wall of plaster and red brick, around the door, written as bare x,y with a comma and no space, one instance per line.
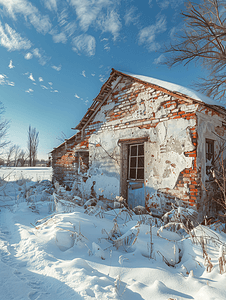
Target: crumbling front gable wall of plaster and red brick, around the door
135,110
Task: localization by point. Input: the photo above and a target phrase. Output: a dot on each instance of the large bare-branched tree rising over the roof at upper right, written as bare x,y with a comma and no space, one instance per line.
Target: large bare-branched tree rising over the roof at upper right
203,40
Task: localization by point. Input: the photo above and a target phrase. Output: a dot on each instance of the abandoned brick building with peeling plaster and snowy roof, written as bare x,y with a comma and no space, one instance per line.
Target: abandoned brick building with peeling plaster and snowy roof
145,140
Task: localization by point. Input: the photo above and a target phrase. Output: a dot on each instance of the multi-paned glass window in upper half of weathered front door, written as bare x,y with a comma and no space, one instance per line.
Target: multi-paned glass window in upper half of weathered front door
136,162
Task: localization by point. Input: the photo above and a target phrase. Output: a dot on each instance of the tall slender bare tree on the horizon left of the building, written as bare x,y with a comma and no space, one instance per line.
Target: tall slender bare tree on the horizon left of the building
32,145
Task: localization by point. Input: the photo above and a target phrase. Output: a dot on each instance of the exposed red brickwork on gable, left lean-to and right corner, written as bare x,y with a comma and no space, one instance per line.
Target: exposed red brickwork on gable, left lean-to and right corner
126,108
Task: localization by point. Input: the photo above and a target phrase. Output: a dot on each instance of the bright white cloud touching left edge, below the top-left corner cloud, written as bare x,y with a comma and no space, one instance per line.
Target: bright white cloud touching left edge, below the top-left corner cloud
12,40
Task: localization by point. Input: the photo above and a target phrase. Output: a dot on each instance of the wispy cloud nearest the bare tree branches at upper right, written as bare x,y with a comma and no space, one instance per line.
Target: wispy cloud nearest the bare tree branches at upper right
148,34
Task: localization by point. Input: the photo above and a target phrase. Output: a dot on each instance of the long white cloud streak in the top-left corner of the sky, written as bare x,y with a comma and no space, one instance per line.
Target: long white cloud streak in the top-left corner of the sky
30,12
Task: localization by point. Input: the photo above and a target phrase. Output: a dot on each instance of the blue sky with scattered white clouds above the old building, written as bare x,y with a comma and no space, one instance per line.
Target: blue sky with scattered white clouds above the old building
56,54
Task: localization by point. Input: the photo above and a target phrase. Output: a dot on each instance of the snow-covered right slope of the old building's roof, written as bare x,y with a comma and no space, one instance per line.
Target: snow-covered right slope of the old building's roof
177,88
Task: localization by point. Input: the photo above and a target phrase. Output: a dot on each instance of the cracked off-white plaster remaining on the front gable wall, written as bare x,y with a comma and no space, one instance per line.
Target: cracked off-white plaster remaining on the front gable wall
164,152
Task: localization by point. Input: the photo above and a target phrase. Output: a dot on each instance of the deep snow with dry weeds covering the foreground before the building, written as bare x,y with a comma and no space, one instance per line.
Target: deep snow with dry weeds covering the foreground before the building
53,246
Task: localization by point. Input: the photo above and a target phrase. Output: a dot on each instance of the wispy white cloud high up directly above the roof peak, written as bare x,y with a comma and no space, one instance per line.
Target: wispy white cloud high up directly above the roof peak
110,23
